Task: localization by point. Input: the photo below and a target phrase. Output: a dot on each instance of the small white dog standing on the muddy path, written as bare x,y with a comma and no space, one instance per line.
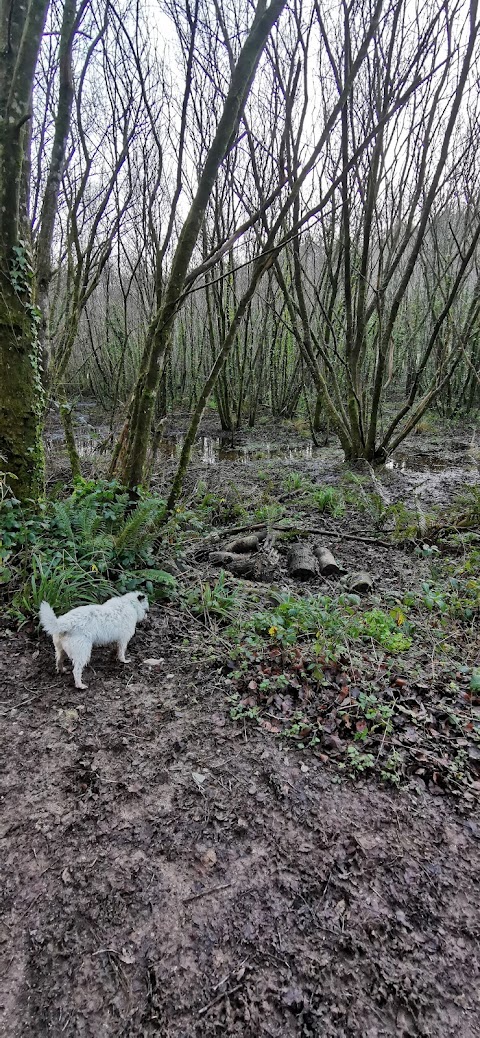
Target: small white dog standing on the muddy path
76,633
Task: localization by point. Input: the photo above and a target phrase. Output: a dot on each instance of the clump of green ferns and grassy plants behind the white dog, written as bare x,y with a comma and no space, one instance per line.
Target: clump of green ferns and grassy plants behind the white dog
82,550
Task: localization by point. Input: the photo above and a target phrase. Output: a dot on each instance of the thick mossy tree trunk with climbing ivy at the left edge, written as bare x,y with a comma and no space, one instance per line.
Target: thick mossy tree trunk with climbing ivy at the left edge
21,408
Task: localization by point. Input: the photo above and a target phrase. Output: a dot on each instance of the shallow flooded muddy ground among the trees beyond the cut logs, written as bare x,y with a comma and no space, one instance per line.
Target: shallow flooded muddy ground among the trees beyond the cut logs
434,465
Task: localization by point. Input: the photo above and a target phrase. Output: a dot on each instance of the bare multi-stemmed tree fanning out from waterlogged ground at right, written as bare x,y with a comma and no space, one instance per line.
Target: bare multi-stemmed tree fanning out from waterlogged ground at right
382,216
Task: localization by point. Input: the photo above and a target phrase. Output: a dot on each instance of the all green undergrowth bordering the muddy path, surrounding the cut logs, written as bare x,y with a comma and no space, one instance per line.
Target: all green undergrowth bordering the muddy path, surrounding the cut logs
352,679
